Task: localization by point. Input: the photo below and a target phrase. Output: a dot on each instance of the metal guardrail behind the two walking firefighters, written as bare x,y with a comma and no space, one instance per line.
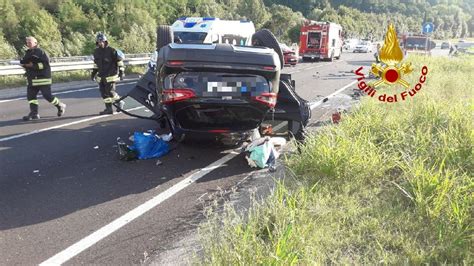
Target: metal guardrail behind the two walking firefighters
72,63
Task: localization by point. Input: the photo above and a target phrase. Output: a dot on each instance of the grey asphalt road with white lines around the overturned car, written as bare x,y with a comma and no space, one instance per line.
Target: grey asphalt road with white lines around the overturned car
61,180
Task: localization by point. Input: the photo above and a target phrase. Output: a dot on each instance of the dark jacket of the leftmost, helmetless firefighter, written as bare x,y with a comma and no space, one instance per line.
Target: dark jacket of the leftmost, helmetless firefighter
40,73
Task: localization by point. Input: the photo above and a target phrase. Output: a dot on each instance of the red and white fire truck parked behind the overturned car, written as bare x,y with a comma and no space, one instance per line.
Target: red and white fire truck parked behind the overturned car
320,40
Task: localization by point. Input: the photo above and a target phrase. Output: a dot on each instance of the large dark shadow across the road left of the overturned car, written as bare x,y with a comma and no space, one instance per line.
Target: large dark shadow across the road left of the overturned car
56,174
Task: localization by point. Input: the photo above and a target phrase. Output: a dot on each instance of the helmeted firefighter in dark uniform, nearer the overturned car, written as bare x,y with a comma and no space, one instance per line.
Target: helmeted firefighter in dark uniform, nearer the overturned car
108,68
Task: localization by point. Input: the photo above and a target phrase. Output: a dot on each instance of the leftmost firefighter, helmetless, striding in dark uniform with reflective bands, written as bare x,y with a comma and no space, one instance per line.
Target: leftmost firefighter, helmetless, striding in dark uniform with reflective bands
38,75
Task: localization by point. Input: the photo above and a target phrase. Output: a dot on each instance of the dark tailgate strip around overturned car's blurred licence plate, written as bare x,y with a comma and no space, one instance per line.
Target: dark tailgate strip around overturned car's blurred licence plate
211,84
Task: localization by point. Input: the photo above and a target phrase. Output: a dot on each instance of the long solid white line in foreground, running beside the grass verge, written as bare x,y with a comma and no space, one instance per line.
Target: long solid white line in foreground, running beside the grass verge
118,223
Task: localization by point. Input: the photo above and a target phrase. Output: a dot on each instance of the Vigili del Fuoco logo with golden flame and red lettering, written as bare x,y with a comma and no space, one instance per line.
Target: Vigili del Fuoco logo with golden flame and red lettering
391,71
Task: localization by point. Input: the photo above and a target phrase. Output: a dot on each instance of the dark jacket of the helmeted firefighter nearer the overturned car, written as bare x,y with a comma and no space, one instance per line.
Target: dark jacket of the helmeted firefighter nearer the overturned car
107,63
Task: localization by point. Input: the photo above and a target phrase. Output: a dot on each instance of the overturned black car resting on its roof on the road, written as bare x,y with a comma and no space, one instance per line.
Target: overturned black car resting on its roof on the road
218,90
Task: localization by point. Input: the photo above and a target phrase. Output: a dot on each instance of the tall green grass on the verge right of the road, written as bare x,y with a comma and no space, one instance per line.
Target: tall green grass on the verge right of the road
392,184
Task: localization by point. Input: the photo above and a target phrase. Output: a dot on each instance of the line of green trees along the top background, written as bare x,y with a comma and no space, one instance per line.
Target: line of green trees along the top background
68,27
